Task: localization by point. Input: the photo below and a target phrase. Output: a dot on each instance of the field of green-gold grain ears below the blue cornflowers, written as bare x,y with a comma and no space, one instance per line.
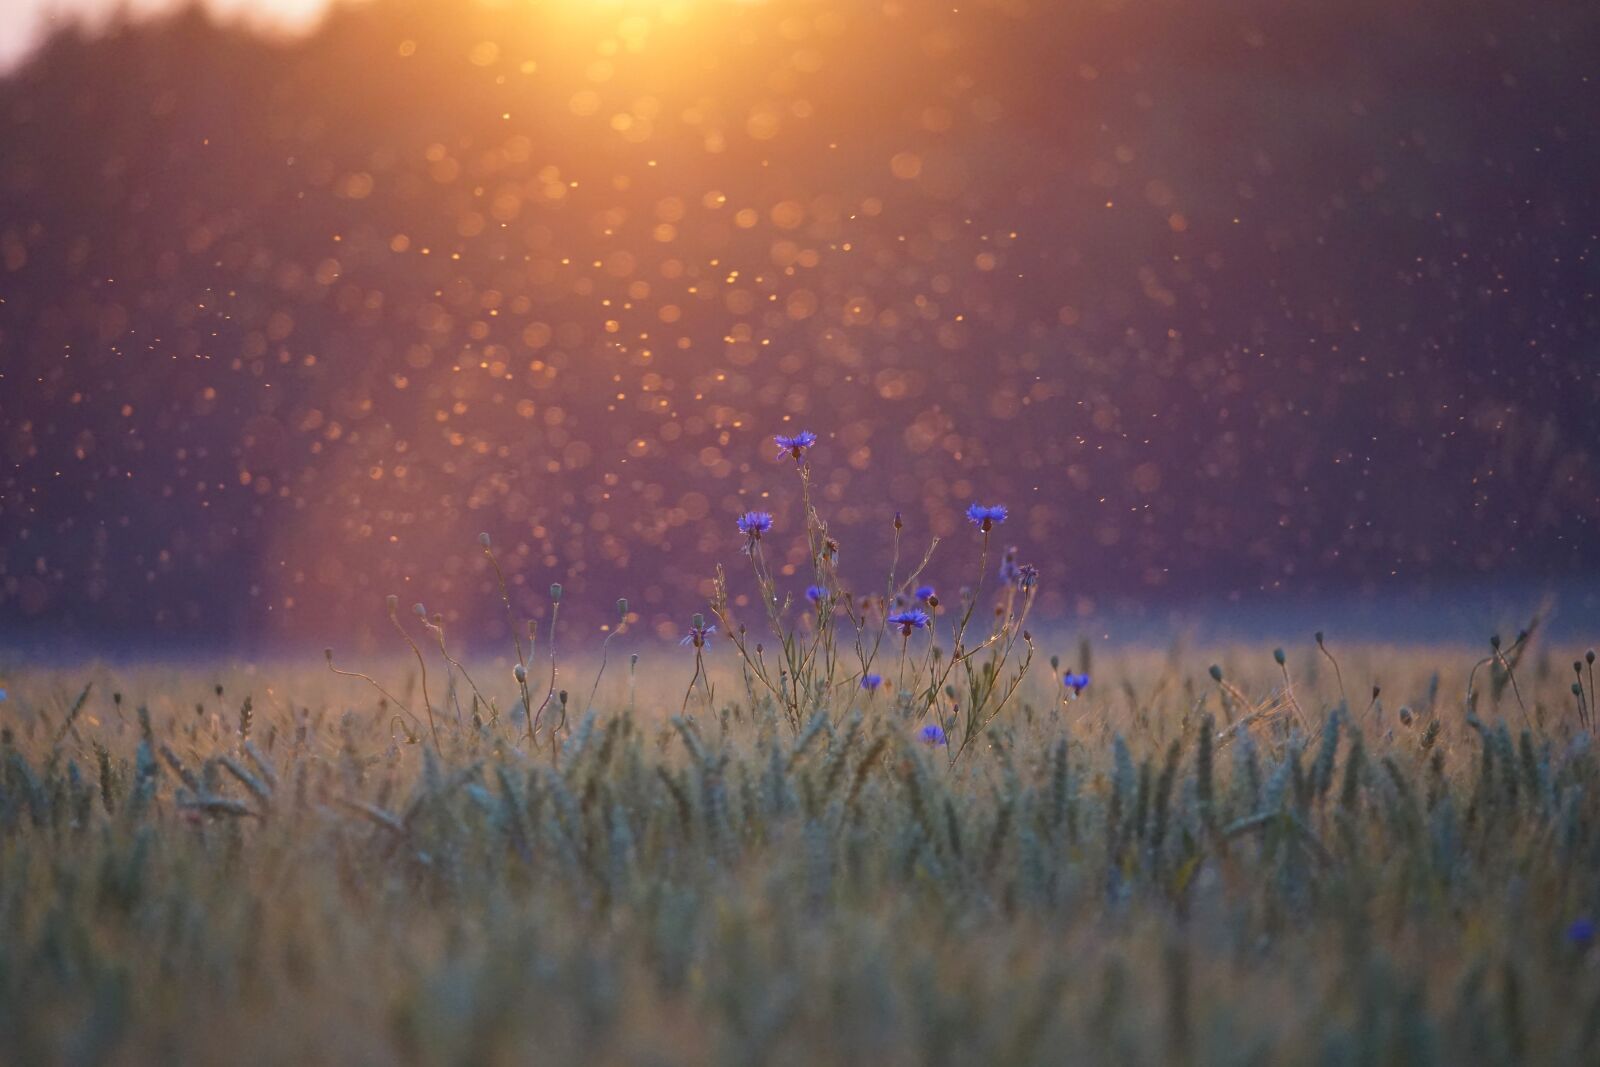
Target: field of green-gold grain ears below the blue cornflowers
1166,869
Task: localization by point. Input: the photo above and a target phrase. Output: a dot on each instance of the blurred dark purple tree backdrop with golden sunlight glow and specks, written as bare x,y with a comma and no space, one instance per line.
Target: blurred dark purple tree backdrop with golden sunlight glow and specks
1215,297
